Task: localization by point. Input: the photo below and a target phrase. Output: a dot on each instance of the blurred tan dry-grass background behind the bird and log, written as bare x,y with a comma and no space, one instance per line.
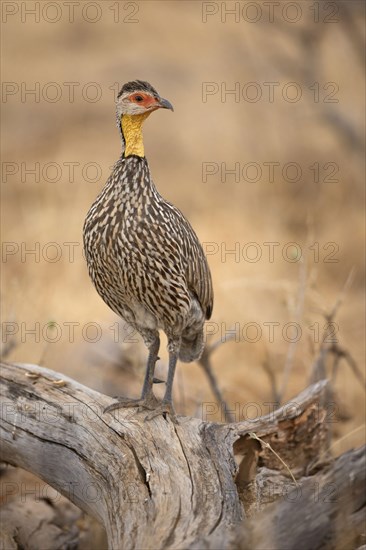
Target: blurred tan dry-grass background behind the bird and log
194,53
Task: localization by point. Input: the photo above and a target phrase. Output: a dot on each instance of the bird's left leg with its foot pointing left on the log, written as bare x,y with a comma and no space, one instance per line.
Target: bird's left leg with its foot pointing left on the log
147,399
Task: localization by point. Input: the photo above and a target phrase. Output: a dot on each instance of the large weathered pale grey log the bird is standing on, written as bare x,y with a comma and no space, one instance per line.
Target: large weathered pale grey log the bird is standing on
152,484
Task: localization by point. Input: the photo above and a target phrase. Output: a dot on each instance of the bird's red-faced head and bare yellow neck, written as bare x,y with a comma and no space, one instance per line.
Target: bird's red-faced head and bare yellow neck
135,101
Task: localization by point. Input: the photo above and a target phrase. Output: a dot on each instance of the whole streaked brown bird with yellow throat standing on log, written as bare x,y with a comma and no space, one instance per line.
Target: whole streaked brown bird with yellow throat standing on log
143,256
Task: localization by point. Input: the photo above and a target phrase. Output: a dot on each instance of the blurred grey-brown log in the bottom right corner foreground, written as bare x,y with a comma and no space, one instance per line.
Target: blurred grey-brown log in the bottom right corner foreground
323,512
